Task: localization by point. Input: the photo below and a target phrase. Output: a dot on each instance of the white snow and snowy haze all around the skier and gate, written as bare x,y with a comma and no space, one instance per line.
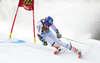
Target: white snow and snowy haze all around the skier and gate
73,18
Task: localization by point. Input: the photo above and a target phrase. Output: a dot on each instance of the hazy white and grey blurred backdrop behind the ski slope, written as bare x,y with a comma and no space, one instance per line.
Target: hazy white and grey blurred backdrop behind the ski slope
74,18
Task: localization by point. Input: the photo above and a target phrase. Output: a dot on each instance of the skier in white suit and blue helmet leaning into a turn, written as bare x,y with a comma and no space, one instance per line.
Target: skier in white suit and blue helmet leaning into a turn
46,35
